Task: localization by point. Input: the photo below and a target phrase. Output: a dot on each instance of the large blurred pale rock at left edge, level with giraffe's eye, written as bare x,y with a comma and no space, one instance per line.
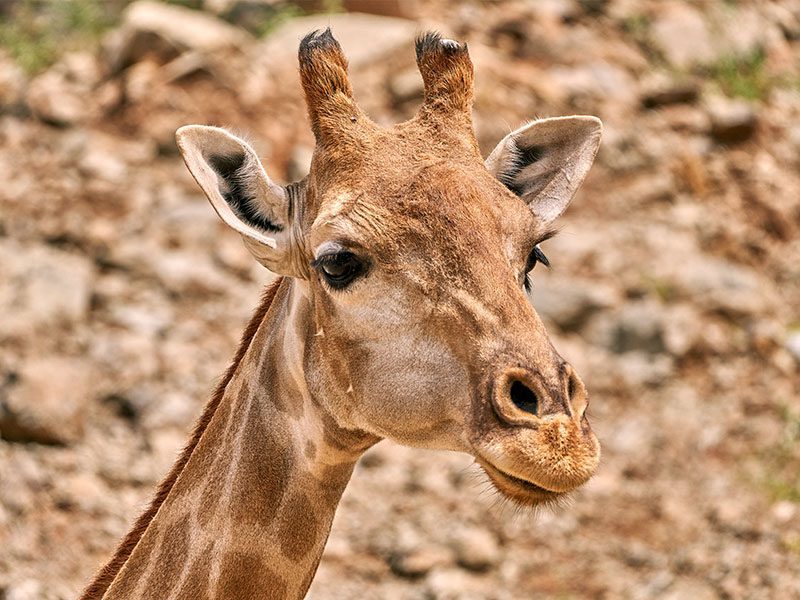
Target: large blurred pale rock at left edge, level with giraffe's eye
42,287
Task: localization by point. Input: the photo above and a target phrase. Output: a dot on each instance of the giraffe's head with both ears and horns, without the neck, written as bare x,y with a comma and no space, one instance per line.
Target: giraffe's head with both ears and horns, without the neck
413,253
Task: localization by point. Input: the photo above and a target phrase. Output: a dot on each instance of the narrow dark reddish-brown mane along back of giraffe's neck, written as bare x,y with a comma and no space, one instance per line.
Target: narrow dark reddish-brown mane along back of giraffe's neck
106,576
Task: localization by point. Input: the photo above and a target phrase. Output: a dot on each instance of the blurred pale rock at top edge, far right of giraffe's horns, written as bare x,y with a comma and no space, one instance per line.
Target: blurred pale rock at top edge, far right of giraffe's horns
681,33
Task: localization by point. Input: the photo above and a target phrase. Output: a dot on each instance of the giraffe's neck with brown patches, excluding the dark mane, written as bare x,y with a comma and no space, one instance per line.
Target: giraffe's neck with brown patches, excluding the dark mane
249,514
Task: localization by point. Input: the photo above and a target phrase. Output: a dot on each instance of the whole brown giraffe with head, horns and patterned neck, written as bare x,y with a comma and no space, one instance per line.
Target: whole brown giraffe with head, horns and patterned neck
400,312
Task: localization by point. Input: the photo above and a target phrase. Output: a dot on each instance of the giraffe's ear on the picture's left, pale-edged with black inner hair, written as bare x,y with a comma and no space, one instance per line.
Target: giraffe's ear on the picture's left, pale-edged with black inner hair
231,175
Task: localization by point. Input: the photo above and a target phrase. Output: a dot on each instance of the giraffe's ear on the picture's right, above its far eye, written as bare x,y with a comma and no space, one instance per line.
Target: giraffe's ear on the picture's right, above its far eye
545,162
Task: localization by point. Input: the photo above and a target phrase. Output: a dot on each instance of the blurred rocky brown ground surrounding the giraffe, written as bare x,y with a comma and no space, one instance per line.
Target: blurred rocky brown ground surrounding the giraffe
675,288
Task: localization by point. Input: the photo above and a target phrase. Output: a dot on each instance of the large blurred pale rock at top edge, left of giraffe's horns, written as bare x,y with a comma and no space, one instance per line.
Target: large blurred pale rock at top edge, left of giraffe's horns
149,29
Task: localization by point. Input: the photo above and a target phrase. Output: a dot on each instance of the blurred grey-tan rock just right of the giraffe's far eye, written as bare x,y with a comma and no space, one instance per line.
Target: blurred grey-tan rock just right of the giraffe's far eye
569,304
